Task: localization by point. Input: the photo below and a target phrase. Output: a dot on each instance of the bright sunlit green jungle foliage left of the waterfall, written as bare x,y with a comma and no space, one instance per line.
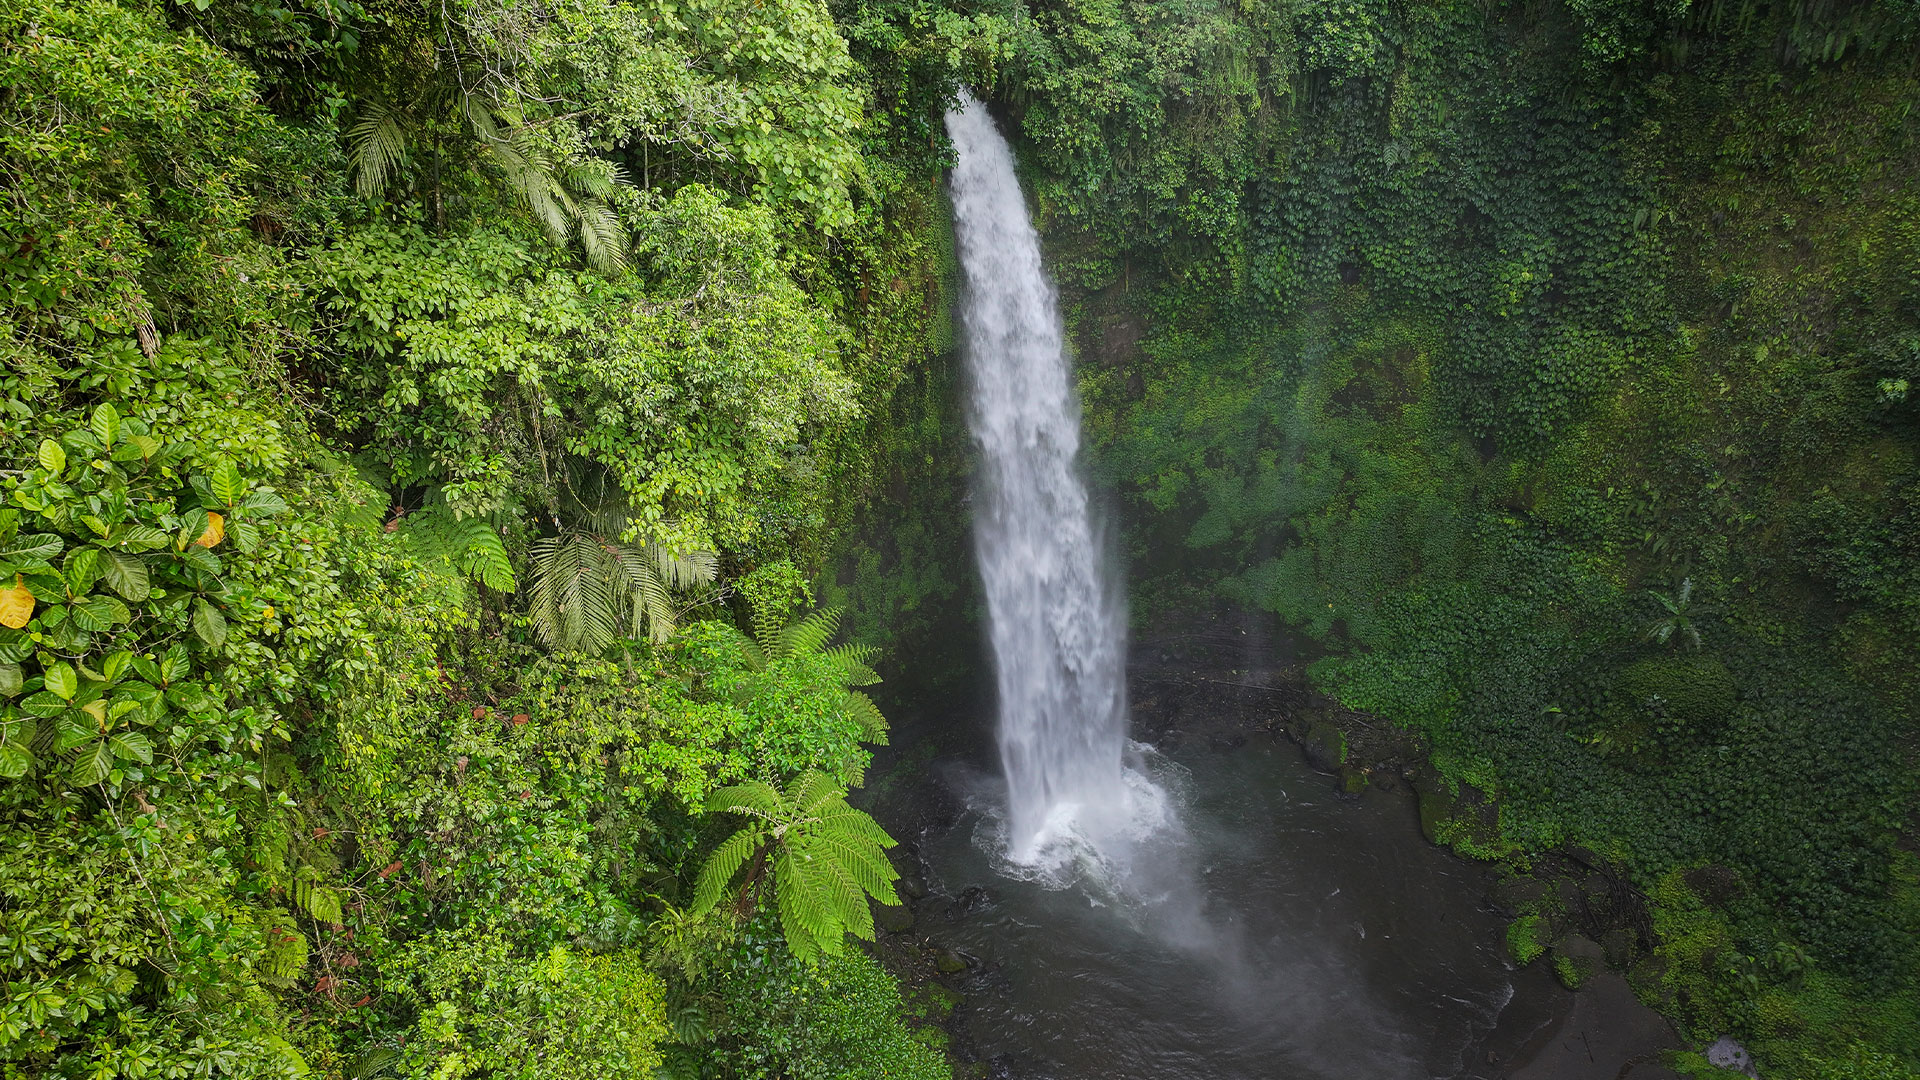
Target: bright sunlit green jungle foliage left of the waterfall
404,408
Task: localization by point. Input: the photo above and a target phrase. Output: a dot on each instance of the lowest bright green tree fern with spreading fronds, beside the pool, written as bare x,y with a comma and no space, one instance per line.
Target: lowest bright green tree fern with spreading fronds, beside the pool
827,858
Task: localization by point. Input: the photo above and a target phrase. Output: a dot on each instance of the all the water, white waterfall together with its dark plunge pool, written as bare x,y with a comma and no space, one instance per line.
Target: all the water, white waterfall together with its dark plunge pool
1149,920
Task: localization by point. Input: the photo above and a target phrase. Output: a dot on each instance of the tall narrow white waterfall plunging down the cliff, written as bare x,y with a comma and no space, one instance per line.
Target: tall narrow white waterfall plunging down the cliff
1055,622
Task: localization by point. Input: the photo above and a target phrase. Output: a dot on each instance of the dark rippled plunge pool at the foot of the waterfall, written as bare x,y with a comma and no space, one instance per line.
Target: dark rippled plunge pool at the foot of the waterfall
1282,933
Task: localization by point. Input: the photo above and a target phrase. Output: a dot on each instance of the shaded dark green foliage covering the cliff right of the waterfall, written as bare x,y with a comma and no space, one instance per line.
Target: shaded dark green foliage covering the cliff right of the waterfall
1550,364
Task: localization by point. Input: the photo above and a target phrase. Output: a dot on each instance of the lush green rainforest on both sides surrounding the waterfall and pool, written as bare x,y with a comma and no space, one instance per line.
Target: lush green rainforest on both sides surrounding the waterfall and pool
468,468
